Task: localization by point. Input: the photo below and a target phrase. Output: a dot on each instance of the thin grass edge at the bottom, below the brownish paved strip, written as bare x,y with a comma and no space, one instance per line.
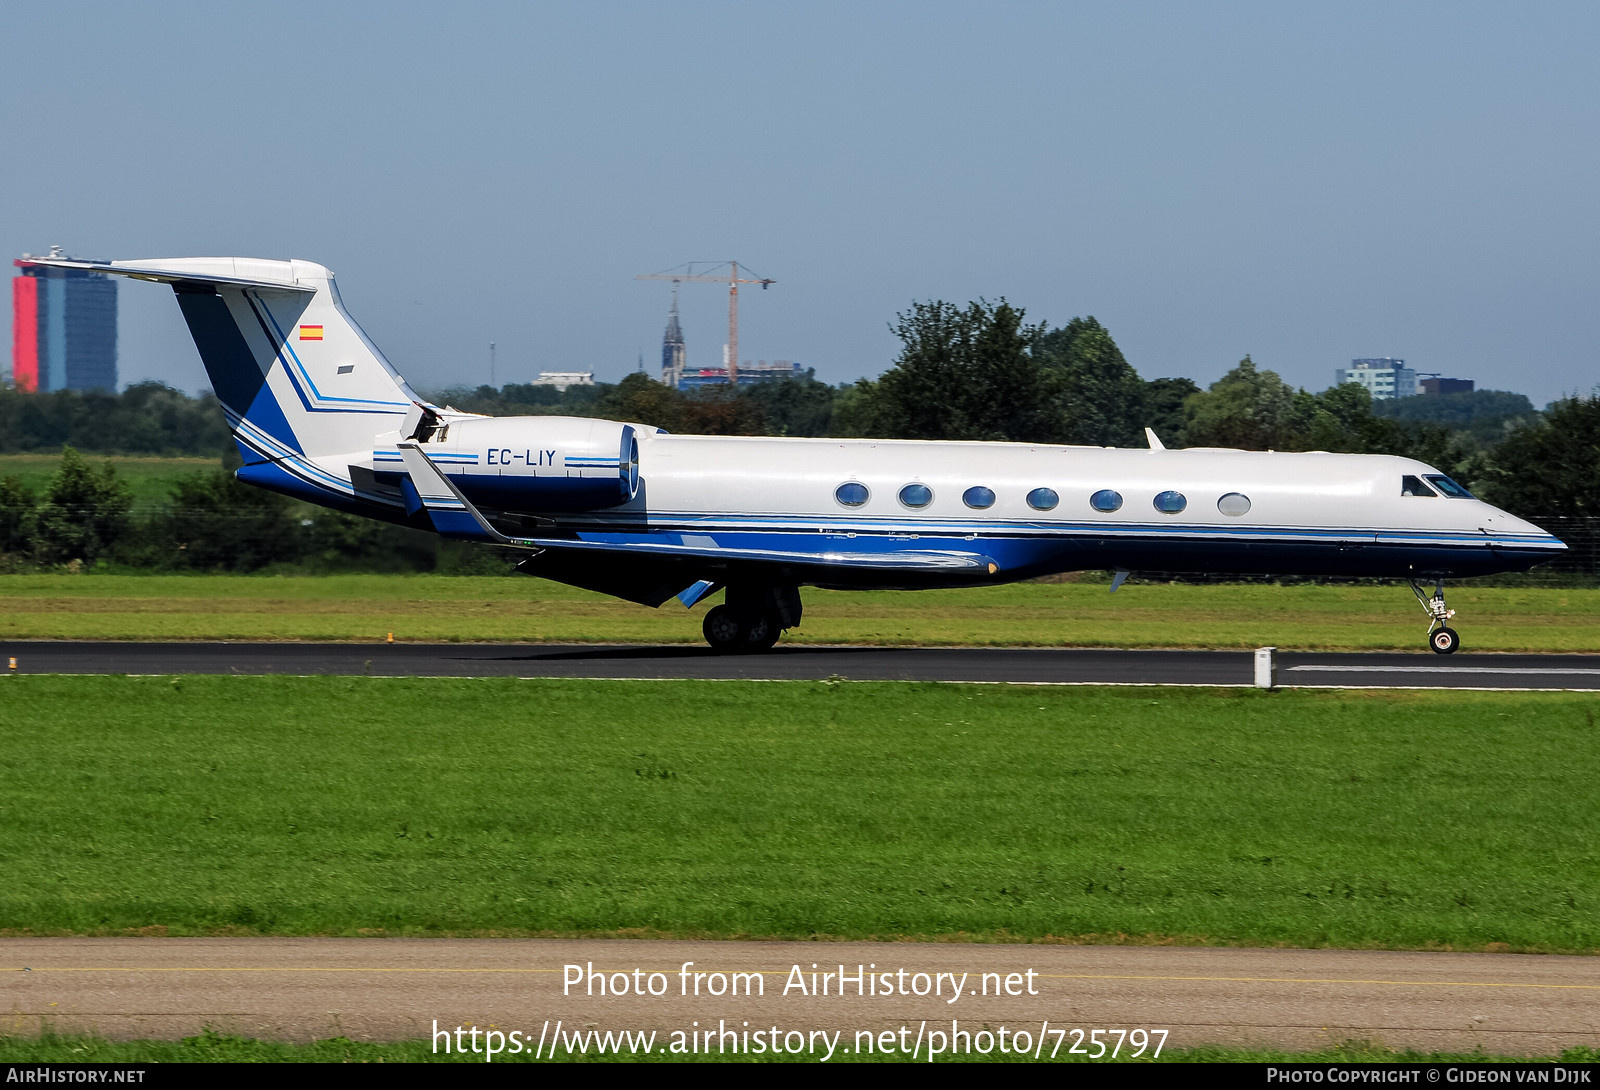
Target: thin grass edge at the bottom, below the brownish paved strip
220,1049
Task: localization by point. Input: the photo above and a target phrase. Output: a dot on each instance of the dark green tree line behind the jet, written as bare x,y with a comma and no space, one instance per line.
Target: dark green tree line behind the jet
975,372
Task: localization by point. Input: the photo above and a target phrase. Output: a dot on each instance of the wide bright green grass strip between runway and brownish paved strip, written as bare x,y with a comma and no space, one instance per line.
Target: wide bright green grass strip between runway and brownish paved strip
788,811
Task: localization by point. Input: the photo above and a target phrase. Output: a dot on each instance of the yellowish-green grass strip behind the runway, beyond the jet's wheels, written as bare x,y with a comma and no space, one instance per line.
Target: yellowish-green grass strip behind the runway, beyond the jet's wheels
369,607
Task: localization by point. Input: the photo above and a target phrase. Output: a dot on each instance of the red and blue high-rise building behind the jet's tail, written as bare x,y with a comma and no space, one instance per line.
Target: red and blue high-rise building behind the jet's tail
63,329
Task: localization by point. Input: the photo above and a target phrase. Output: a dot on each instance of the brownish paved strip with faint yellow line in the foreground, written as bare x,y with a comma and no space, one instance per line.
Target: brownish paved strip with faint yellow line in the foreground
390,990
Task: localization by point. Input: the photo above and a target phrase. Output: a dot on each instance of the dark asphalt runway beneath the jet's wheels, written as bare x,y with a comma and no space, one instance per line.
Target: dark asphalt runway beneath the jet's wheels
1039,667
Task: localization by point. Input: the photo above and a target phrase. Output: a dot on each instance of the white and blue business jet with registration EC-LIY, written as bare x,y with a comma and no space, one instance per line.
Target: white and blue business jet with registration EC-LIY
631,511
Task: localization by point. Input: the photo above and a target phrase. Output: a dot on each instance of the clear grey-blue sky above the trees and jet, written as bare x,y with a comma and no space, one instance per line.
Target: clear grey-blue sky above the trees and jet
1300,183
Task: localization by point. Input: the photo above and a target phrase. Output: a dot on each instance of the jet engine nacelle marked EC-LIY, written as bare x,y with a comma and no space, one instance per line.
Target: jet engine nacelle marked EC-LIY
540,463
